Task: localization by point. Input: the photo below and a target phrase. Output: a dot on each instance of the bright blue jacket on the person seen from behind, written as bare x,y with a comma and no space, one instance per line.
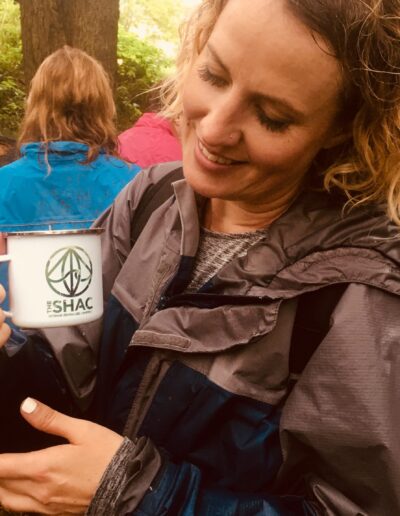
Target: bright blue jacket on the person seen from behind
60,190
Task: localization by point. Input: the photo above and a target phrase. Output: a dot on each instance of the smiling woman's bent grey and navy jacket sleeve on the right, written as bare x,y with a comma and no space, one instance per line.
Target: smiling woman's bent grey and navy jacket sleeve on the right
339,432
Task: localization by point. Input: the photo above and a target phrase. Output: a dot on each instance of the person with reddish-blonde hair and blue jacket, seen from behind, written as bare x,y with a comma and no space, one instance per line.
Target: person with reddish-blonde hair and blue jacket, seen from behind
69,171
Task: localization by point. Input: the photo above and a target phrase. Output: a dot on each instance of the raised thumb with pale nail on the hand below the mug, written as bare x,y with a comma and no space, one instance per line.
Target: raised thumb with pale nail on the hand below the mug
48,420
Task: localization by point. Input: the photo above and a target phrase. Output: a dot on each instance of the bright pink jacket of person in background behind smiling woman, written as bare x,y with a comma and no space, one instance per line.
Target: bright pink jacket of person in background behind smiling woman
151,140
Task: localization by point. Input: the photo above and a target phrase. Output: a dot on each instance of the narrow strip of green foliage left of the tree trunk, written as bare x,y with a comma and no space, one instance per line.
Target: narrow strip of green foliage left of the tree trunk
12,90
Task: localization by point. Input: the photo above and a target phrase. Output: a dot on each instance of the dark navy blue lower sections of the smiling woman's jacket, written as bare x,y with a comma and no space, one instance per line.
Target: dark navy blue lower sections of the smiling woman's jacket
216,445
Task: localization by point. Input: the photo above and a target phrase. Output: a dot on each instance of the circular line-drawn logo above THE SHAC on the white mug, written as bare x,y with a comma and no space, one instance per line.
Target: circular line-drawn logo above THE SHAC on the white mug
69,271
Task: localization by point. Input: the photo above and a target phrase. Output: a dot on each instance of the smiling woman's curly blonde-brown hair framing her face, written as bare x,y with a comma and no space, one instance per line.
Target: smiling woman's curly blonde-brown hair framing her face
364,36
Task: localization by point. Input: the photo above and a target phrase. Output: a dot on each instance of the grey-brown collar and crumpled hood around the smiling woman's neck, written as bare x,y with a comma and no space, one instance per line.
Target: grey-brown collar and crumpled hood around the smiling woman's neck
313,244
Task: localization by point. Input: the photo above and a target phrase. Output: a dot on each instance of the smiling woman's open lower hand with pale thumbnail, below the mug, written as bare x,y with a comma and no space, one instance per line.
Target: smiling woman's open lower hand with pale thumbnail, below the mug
61,479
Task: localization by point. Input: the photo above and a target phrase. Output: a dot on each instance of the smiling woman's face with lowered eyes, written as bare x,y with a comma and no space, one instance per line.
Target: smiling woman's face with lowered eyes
259,102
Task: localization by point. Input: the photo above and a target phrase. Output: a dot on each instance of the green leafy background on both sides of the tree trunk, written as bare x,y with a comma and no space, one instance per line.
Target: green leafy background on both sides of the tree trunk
147,41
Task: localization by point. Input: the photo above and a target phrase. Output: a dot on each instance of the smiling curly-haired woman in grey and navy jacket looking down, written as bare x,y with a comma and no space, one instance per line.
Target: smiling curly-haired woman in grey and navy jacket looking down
276,97
